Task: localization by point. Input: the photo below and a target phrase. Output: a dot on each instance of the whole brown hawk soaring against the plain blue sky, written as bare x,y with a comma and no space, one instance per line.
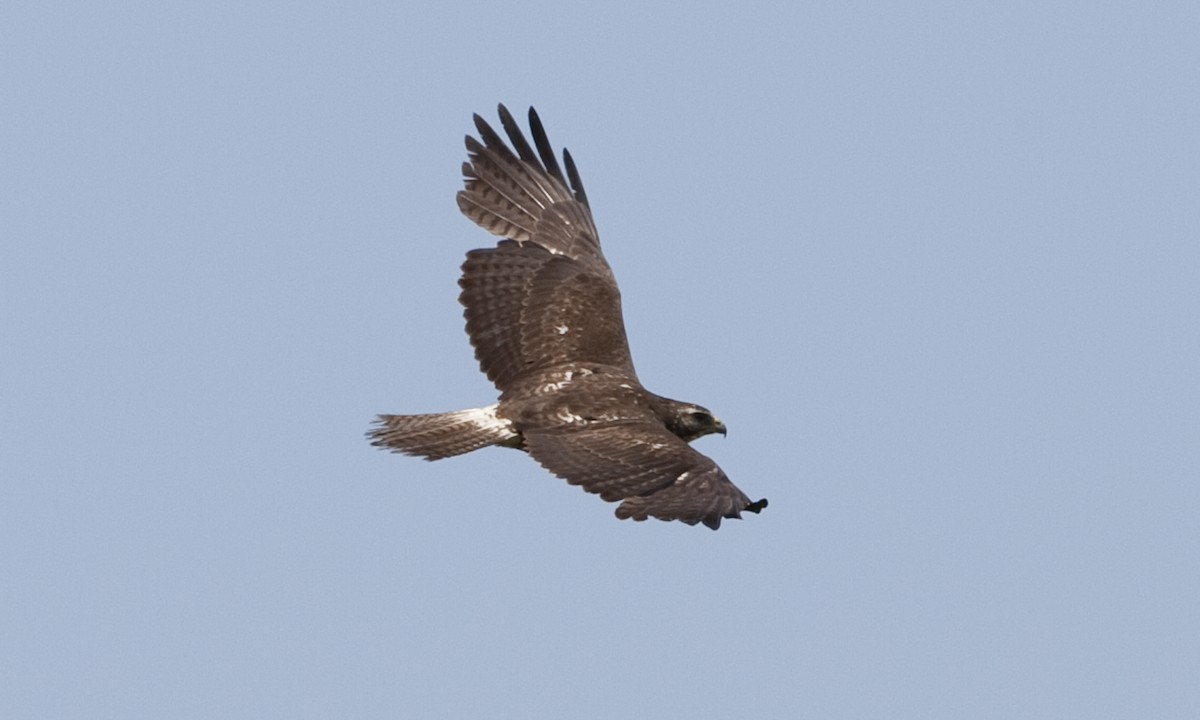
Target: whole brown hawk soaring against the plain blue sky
544,315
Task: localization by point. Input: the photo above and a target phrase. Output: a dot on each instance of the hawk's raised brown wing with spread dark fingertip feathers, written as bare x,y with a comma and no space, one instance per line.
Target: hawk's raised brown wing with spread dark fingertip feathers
545,296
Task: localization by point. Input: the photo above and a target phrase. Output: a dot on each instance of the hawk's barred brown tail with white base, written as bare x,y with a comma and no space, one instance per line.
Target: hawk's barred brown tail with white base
443,435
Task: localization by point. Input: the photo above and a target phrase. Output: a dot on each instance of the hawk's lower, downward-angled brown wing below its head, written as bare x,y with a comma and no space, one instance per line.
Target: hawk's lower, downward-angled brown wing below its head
656,473
